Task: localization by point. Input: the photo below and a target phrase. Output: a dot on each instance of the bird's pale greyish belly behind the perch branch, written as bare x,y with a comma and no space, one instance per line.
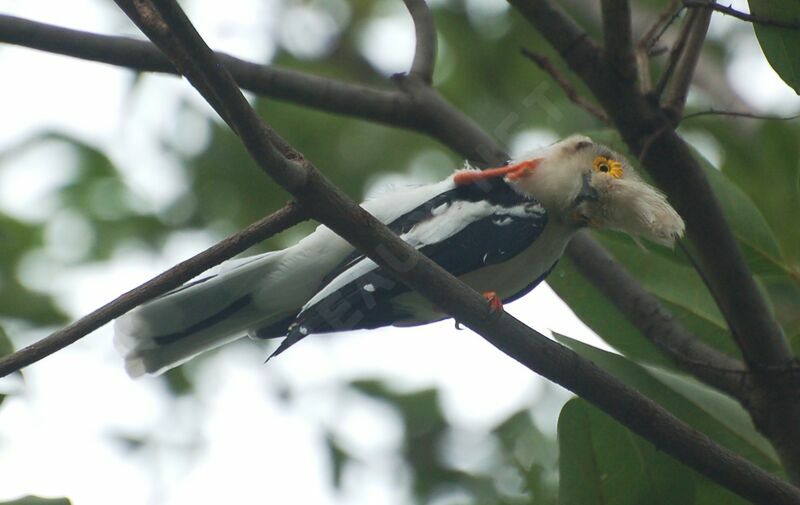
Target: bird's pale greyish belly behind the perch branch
506,279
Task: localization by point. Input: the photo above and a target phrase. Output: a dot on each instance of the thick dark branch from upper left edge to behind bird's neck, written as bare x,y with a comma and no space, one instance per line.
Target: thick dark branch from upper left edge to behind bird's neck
417,107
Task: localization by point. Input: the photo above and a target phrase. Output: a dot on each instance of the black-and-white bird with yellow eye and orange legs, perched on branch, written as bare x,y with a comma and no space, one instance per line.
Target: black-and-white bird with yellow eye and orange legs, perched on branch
500,230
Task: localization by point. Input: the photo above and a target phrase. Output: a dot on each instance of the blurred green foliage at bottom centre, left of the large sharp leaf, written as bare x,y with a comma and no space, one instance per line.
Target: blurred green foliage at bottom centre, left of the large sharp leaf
521,470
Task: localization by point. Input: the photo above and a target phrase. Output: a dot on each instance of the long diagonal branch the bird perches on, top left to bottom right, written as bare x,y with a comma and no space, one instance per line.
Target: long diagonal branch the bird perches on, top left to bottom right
539,353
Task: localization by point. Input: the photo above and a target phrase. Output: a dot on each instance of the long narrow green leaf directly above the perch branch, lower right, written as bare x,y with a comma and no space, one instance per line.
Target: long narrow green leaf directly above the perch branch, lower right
709,412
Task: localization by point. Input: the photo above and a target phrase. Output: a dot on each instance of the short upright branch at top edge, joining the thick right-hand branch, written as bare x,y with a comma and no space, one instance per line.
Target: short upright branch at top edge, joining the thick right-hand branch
618,39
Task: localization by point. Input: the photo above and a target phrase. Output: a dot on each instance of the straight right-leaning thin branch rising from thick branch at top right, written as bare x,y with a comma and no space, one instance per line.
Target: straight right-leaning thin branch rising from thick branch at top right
697,23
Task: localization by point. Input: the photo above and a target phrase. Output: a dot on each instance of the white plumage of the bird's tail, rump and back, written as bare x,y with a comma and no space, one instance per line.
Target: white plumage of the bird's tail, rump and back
278,283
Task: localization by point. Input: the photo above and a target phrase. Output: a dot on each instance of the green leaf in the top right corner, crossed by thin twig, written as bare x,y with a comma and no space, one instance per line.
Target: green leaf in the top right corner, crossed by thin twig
780,45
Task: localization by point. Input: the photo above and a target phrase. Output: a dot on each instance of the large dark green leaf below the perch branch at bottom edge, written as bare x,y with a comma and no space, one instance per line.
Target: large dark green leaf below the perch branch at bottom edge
602,463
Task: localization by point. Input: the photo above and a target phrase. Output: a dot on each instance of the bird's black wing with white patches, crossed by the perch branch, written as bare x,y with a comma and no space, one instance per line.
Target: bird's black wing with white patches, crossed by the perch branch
365,301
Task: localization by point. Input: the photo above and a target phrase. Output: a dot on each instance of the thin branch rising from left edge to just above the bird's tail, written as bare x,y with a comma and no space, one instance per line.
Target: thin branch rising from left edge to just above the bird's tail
276,222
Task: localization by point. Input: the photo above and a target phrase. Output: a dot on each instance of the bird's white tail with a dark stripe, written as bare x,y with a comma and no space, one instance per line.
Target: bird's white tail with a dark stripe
201,315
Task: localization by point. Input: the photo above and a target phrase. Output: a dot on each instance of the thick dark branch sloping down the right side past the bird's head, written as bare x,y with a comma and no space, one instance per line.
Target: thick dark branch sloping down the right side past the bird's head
651,136
